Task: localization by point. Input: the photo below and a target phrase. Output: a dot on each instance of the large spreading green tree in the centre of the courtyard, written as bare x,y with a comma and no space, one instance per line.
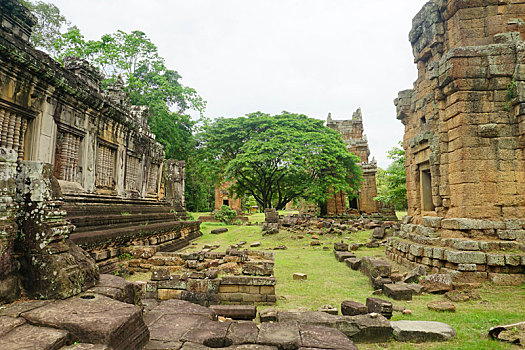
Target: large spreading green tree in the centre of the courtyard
279,158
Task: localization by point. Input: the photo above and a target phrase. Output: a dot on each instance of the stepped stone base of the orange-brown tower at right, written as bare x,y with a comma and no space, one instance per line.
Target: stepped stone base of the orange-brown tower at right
468,249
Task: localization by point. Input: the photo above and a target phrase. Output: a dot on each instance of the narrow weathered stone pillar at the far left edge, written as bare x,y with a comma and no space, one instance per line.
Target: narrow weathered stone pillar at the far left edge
9,286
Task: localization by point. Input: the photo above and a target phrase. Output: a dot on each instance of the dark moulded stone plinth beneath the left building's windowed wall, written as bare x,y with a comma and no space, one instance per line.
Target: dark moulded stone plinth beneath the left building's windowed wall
105,225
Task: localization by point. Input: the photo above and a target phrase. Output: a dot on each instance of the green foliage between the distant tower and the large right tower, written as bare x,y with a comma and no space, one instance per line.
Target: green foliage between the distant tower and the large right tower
391,183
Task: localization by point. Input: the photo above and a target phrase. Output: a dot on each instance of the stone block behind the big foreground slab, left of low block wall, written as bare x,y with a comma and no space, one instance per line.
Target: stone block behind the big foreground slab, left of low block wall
117,288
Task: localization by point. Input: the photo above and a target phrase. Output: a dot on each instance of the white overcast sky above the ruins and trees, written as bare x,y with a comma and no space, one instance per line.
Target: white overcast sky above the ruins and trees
302,56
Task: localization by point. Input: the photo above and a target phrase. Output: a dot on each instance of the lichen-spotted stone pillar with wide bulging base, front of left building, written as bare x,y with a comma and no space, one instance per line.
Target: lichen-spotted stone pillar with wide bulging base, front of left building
51,266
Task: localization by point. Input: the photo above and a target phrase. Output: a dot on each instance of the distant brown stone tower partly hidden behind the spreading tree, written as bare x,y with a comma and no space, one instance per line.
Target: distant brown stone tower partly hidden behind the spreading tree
357,143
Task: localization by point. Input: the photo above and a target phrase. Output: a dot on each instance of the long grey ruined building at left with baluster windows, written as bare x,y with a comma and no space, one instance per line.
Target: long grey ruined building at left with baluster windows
73,155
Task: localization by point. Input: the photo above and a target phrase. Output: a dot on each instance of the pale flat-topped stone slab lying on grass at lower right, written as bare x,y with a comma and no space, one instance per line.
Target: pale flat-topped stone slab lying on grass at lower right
422,331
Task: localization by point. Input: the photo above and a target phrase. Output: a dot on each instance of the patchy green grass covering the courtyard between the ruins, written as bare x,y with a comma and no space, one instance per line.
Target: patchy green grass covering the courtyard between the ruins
331,282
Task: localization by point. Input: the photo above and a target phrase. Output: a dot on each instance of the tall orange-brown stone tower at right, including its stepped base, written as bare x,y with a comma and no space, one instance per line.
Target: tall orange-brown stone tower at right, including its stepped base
465,142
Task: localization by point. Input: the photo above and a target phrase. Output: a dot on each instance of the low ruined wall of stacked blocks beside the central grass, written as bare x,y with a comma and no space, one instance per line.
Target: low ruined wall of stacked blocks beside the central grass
246,277
